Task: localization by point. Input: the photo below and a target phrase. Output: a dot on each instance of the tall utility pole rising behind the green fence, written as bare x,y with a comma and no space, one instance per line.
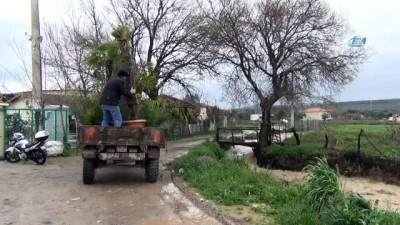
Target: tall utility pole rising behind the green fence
36,55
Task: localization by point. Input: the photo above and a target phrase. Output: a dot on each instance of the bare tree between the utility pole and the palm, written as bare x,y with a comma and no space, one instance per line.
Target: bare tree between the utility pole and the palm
67,47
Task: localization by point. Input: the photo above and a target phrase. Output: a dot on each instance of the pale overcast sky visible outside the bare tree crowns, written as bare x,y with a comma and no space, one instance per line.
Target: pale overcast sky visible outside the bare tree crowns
378,21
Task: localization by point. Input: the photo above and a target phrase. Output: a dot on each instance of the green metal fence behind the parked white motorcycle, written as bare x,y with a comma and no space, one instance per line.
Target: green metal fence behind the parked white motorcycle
29,121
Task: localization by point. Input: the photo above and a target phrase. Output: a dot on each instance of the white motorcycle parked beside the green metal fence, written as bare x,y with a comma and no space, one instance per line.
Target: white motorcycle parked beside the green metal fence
20,148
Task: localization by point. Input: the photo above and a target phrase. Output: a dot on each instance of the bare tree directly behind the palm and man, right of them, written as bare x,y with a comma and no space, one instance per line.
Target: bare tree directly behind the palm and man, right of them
166,46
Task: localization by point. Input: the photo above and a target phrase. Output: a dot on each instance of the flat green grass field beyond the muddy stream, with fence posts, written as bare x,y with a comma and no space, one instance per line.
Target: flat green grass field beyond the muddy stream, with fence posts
344,137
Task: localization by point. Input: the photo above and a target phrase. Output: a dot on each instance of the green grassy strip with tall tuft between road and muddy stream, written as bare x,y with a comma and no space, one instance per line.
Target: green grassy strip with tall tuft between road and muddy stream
232,182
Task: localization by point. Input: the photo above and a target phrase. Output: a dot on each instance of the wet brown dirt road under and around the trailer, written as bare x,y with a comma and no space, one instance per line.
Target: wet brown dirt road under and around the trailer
54,194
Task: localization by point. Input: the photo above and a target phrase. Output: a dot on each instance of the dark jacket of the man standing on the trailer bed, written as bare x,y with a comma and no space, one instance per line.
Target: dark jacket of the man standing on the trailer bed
115,87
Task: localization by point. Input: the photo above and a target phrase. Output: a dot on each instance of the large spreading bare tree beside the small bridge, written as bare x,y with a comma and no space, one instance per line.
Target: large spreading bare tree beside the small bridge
274,49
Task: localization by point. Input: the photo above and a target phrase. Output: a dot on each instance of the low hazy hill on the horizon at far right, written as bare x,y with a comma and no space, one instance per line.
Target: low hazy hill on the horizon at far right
388,104
